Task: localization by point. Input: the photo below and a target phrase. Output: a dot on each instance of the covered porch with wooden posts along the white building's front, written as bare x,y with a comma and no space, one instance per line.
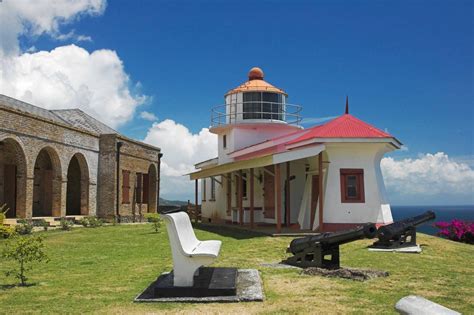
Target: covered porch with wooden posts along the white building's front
274,194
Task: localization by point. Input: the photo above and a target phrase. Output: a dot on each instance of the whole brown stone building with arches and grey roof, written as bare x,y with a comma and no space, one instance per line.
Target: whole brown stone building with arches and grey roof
56,163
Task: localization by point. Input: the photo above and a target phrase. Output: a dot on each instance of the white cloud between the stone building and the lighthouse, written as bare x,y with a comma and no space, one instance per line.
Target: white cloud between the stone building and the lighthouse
182,149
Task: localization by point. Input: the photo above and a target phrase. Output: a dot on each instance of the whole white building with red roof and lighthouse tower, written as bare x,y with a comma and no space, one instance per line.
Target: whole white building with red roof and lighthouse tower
271,171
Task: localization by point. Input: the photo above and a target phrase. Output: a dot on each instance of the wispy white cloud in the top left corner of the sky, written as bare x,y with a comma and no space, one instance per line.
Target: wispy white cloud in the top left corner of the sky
34,18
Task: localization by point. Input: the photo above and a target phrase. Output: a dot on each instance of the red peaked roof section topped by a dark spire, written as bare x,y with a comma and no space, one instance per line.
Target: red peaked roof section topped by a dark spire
345,126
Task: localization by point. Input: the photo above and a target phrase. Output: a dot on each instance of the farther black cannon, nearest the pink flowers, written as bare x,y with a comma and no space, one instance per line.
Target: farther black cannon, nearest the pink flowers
401,234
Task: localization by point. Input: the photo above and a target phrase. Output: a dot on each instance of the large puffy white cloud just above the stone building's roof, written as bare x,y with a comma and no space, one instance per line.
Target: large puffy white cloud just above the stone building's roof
71,77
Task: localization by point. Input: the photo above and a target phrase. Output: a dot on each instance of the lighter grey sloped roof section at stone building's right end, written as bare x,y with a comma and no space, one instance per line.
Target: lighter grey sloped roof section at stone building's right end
79,119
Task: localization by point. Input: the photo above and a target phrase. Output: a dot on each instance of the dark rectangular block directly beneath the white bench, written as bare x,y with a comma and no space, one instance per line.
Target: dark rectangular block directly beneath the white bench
209,282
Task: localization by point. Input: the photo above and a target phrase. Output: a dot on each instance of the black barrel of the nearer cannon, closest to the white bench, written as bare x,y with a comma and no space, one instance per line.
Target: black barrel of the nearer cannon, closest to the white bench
367,230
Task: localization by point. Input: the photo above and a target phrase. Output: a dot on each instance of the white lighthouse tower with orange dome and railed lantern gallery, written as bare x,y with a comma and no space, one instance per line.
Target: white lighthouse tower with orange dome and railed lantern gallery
253,112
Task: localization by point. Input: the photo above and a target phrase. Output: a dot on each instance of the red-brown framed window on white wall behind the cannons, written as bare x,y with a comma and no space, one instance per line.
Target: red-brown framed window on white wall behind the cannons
352,185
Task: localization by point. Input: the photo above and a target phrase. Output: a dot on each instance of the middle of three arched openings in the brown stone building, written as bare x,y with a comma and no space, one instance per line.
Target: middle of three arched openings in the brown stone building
47,183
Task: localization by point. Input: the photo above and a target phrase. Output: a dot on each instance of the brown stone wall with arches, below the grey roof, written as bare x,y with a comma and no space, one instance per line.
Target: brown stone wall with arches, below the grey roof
23,136
